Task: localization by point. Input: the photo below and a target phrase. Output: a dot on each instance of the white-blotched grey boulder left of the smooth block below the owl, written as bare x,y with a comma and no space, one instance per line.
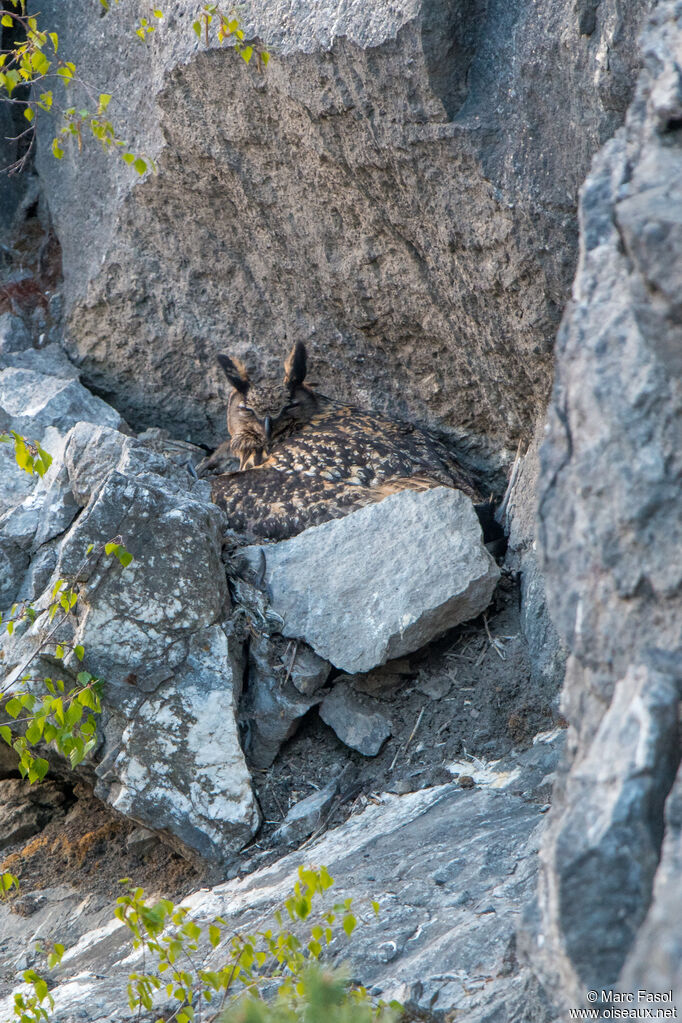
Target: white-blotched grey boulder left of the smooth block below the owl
169,755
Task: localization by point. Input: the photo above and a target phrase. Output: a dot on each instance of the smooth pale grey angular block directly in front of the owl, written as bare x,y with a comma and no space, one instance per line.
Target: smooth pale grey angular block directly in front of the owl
383,582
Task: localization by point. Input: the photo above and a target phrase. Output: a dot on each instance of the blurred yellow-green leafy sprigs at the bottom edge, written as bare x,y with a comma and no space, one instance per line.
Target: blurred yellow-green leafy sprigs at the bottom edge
241,988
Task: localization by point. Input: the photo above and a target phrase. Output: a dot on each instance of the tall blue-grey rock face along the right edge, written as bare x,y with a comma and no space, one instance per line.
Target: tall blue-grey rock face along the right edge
611,535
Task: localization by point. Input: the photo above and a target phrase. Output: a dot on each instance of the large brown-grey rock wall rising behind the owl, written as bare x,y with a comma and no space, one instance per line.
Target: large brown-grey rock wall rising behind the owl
398,189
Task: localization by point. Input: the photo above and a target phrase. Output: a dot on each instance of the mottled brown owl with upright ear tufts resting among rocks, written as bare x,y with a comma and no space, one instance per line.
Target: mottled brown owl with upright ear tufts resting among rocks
306,459
